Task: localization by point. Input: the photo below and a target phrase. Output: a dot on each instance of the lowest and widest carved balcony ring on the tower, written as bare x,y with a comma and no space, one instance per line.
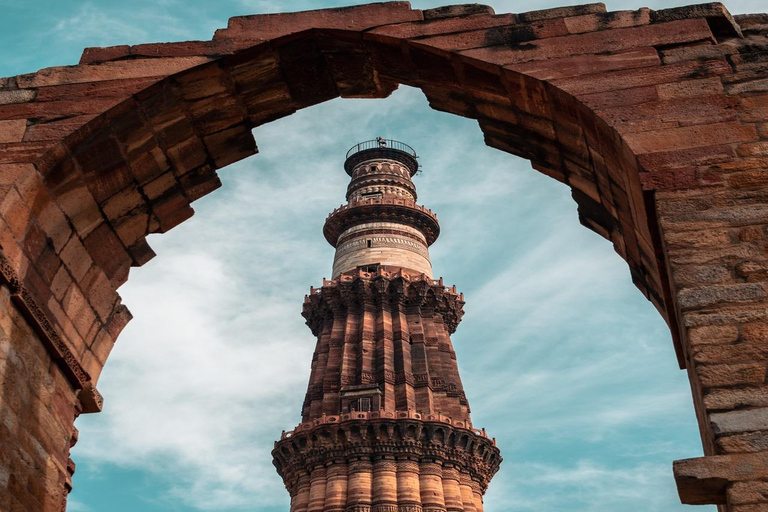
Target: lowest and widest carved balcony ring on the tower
458,450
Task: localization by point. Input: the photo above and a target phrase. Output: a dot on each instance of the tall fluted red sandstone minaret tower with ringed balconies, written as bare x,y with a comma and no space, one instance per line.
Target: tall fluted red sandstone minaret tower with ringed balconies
385,423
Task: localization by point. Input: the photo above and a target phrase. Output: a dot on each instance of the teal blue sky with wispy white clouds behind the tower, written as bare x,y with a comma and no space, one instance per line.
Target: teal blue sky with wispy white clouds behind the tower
564,362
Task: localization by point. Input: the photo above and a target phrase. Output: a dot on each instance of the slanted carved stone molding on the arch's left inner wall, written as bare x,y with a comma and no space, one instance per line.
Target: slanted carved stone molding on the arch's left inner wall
36,316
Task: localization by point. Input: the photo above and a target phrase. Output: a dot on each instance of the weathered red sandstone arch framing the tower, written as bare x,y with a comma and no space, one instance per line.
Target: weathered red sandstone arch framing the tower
657,120
